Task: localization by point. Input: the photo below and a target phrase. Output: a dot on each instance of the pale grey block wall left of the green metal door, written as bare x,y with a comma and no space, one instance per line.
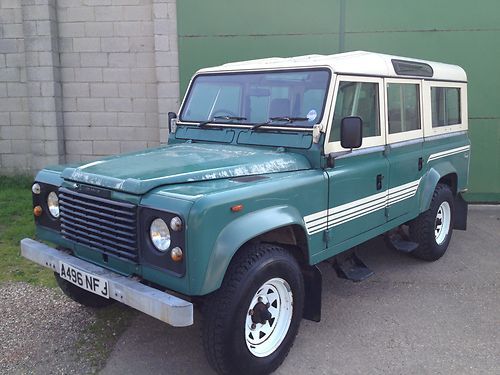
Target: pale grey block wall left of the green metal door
81,79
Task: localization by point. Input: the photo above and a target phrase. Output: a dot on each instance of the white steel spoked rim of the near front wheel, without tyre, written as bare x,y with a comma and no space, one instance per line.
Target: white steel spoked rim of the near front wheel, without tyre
263,339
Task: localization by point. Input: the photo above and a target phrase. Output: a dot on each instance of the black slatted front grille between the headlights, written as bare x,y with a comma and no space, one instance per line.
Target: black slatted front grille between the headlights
106,225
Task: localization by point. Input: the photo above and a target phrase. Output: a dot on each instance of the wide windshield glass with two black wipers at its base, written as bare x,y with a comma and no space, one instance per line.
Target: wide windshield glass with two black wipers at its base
286,98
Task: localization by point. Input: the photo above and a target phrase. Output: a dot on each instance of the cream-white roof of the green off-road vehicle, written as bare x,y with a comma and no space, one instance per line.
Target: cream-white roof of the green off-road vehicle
355,63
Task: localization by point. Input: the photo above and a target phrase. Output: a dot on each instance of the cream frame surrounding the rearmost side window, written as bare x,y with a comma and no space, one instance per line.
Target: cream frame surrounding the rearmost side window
429,130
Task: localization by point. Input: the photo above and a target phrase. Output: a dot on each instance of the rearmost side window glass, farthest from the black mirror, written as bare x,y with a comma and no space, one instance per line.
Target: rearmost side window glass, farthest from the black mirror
445,103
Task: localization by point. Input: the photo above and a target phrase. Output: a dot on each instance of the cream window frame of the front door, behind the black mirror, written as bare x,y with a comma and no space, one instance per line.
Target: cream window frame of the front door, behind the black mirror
378,140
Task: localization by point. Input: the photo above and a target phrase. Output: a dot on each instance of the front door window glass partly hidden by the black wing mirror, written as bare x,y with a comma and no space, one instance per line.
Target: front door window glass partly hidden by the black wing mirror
357,99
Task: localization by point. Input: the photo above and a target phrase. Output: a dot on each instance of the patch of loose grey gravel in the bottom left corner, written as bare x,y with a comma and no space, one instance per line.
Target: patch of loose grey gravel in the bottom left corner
41,332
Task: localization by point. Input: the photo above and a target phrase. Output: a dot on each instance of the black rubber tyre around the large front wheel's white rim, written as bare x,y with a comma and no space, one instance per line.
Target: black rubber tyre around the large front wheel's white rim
226,311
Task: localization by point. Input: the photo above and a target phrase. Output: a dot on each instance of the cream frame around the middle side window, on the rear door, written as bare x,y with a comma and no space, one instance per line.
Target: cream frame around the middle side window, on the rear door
405,135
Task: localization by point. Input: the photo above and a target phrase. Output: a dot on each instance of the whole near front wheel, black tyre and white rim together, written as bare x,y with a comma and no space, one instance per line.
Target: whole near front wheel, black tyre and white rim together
252,320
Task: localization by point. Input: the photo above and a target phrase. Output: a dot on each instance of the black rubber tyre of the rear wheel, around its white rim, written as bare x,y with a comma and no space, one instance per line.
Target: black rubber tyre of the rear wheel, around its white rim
423,228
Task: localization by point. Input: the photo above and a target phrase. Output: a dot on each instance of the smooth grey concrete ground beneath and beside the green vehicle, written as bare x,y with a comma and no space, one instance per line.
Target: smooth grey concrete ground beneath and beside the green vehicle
411,317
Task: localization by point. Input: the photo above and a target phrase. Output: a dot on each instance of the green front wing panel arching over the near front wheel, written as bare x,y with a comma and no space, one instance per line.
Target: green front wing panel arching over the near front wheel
280,200
